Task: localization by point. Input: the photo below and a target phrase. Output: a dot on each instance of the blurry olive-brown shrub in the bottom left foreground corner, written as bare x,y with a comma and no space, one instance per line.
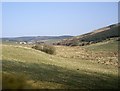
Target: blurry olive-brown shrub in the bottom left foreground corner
14,81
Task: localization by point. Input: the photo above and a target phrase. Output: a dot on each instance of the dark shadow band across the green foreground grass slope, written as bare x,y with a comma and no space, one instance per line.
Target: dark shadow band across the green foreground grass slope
73,79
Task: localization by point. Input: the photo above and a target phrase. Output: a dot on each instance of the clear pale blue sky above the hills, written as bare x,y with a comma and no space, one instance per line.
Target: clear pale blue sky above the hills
56,18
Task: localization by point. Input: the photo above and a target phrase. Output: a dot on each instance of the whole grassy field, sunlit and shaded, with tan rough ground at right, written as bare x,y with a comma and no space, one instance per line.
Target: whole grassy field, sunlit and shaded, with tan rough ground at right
89,67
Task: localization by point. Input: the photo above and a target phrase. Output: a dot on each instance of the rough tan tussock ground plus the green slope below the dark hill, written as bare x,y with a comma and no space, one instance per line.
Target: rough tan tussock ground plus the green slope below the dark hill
104,53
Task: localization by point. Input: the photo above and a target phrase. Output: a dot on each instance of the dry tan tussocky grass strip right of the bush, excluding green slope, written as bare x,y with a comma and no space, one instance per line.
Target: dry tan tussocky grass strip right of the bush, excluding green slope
103,57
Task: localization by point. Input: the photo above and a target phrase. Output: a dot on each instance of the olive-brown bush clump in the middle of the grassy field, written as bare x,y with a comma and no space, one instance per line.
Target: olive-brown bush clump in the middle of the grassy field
45,48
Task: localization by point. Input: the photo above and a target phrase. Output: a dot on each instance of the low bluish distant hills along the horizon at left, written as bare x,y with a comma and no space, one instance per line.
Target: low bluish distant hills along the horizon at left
37,38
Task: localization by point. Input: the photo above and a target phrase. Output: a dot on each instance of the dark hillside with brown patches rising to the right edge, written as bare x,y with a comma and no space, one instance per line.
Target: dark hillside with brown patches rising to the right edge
95,36
